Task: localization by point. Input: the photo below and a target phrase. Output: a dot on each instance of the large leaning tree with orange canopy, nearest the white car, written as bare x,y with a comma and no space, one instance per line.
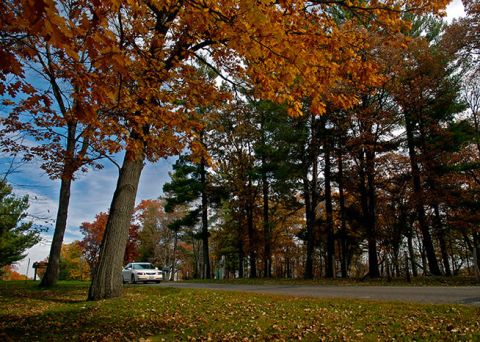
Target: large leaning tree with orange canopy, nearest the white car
149,91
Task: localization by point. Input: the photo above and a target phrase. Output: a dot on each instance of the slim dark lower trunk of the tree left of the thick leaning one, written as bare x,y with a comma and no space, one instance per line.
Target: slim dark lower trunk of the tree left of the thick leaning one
51,275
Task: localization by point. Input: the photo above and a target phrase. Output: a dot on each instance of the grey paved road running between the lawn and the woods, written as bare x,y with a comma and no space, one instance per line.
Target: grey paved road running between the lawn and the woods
426,294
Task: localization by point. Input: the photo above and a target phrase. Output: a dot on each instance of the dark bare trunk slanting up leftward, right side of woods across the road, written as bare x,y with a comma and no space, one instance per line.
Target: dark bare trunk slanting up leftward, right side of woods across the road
419,200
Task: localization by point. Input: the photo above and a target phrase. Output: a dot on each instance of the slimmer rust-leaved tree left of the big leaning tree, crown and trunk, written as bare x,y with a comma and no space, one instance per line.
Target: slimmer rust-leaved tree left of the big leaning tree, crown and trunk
56,42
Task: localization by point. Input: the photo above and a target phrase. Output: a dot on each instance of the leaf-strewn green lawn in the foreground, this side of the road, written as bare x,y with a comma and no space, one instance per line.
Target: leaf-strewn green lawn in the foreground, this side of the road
165,314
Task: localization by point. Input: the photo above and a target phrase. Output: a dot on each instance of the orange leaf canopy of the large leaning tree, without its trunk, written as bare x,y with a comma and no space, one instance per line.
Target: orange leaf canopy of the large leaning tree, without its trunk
132,66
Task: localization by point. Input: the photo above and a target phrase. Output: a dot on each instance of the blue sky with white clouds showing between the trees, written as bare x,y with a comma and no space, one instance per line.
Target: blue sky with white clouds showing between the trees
92,192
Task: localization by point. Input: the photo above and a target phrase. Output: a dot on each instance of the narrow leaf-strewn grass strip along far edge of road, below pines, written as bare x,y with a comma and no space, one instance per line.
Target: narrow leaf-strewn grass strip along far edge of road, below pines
415,281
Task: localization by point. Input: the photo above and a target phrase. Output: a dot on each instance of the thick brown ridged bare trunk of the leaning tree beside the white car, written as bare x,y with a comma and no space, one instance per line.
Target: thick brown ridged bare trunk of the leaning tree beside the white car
107,282
